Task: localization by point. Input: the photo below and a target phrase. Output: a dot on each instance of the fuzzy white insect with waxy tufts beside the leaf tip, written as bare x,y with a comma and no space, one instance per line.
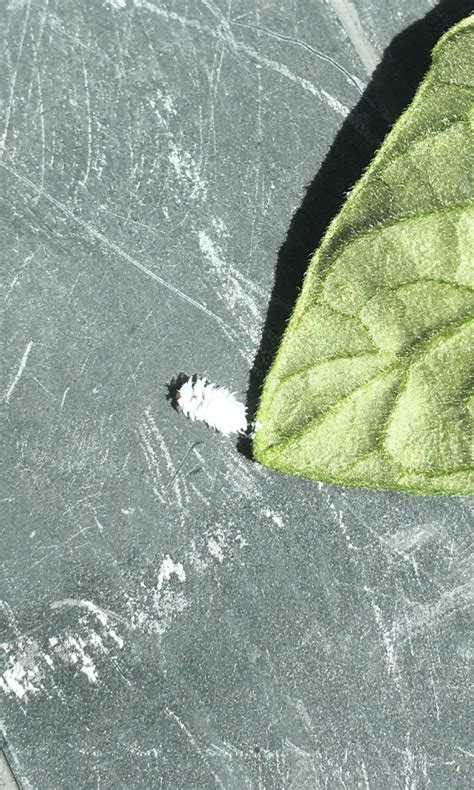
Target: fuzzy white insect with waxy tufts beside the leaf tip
217,406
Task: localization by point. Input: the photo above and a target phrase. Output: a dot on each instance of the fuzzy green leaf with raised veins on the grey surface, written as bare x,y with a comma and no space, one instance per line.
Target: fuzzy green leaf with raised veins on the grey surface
373,382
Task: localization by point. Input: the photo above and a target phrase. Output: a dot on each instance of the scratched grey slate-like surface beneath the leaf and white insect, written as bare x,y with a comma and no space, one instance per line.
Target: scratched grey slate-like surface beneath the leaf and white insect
172,615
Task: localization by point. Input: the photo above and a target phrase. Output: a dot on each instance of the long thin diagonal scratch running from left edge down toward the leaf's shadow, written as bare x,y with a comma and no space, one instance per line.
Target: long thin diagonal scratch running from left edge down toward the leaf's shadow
96,234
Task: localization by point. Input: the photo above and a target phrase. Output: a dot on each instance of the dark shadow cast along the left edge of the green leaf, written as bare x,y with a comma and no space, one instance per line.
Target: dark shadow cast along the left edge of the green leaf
389,92
